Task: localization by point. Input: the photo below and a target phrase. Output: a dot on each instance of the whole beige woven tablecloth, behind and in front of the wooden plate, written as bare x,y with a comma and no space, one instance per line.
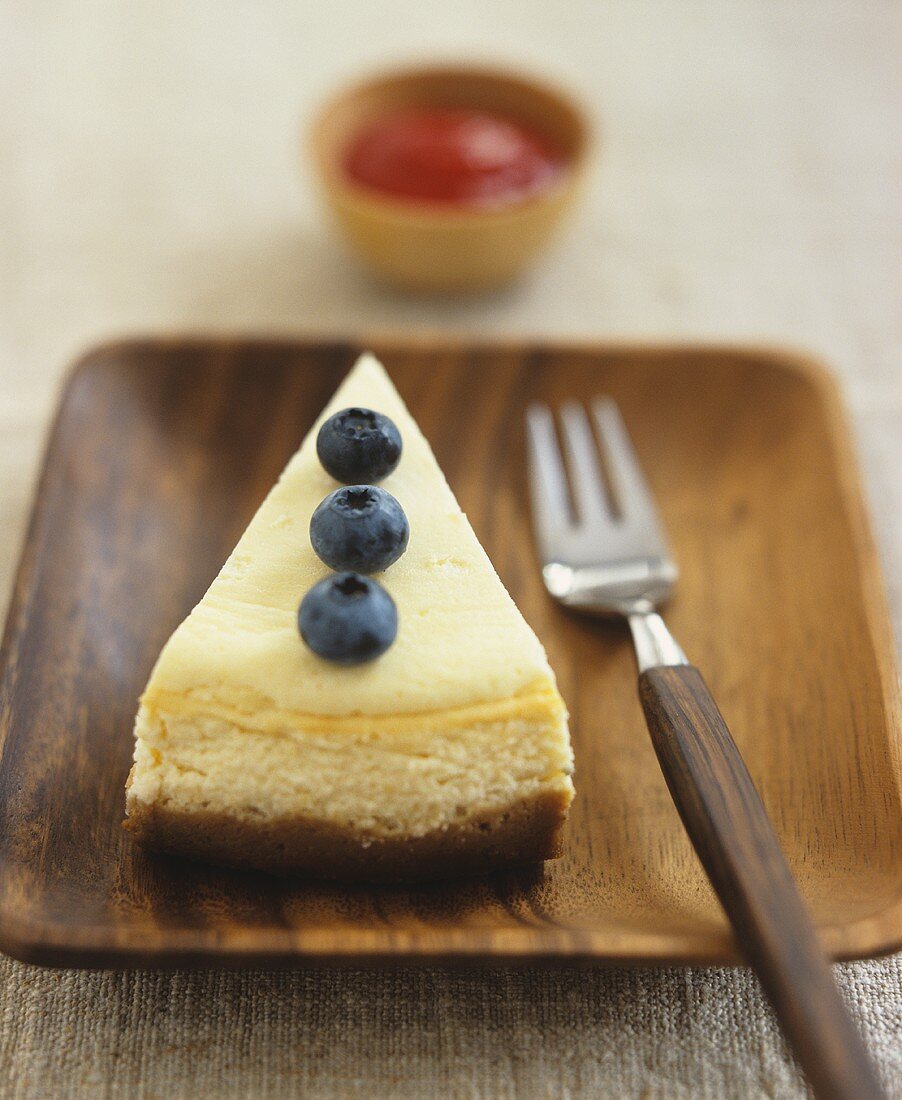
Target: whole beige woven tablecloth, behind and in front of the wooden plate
749,190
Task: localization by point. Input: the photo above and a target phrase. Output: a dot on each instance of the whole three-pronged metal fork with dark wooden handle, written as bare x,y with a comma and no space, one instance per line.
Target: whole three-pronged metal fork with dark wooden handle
607,554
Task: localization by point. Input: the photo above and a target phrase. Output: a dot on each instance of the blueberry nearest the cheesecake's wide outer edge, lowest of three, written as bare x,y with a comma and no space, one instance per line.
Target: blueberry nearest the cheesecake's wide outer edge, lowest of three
348,619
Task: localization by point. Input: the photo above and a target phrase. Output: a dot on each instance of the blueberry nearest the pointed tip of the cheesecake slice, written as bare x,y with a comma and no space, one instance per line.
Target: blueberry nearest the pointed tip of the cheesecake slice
359,446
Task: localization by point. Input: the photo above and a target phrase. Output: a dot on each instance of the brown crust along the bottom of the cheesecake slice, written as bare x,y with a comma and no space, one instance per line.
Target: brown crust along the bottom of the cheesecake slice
525,833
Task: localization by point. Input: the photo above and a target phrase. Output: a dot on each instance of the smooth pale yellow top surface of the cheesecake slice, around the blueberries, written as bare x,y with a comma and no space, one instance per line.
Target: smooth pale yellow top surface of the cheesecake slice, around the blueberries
461,640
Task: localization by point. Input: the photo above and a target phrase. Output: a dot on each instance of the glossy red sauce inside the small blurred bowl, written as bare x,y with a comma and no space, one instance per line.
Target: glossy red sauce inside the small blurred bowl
453,157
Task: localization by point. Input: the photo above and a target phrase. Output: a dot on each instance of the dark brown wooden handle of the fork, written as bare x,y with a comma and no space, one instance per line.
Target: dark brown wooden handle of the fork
729,827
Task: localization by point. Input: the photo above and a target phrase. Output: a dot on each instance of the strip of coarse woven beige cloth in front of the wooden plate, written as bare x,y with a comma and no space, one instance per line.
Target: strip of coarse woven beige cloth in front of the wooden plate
414,1033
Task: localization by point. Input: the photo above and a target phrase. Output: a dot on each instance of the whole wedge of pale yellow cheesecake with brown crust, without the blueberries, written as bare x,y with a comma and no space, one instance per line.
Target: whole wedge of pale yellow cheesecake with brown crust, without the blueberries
449,755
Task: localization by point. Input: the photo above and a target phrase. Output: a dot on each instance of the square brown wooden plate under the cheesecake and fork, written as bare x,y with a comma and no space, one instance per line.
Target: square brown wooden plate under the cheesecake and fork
160,456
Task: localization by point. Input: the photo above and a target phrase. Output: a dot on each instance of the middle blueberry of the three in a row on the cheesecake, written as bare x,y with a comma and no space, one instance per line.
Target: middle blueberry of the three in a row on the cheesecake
360,527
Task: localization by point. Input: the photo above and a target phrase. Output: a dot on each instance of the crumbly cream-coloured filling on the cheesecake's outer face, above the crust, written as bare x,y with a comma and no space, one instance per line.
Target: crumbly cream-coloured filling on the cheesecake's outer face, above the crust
409,776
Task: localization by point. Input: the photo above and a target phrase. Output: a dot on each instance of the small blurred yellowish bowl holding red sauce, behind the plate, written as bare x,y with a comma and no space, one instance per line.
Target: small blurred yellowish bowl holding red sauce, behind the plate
450,179
